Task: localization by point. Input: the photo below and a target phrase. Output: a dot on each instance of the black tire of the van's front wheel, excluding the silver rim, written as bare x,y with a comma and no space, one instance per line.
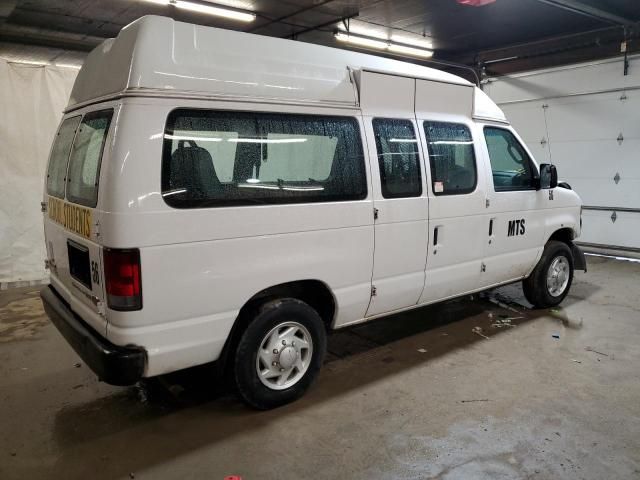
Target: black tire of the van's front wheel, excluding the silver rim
535,286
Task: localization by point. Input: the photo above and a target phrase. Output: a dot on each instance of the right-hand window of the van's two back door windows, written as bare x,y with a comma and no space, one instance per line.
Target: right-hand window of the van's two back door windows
86,154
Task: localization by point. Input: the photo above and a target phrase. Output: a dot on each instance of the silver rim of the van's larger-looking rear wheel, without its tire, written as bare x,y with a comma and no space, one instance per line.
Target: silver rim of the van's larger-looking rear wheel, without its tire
284,355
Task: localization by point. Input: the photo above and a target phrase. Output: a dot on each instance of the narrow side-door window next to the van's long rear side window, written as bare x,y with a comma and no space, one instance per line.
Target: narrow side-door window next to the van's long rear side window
397,149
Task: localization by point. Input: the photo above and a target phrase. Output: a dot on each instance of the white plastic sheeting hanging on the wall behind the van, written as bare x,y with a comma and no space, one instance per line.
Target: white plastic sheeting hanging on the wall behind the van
31,102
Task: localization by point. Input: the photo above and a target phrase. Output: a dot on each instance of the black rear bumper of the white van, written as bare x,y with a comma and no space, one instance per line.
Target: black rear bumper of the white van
113,364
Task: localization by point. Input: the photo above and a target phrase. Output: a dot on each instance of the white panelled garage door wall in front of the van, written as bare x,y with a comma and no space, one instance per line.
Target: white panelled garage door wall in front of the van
586,120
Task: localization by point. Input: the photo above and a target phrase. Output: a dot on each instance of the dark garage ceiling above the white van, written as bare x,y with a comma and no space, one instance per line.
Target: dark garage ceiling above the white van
458,33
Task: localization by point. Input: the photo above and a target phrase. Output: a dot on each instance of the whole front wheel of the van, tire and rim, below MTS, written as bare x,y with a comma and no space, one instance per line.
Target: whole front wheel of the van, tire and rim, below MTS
550,281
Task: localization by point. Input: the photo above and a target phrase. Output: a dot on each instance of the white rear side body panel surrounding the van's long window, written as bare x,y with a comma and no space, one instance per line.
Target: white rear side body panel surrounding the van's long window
201,265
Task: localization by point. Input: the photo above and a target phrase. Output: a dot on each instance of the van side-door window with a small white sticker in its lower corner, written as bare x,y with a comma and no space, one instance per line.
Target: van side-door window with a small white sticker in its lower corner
451,156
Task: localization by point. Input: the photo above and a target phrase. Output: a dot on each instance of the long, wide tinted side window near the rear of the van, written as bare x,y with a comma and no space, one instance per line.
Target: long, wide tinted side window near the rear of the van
218,158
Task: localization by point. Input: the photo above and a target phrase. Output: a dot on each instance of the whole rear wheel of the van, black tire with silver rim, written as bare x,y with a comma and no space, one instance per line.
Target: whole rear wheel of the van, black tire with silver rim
279,354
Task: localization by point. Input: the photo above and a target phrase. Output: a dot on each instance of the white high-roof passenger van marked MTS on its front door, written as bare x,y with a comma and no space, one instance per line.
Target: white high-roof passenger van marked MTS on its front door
215,195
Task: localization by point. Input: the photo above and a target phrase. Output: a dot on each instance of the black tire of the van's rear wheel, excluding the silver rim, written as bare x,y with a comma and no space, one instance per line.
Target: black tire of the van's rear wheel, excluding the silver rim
268,316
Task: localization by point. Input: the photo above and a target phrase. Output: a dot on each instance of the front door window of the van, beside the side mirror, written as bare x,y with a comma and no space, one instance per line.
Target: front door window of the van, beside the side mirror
510,164
